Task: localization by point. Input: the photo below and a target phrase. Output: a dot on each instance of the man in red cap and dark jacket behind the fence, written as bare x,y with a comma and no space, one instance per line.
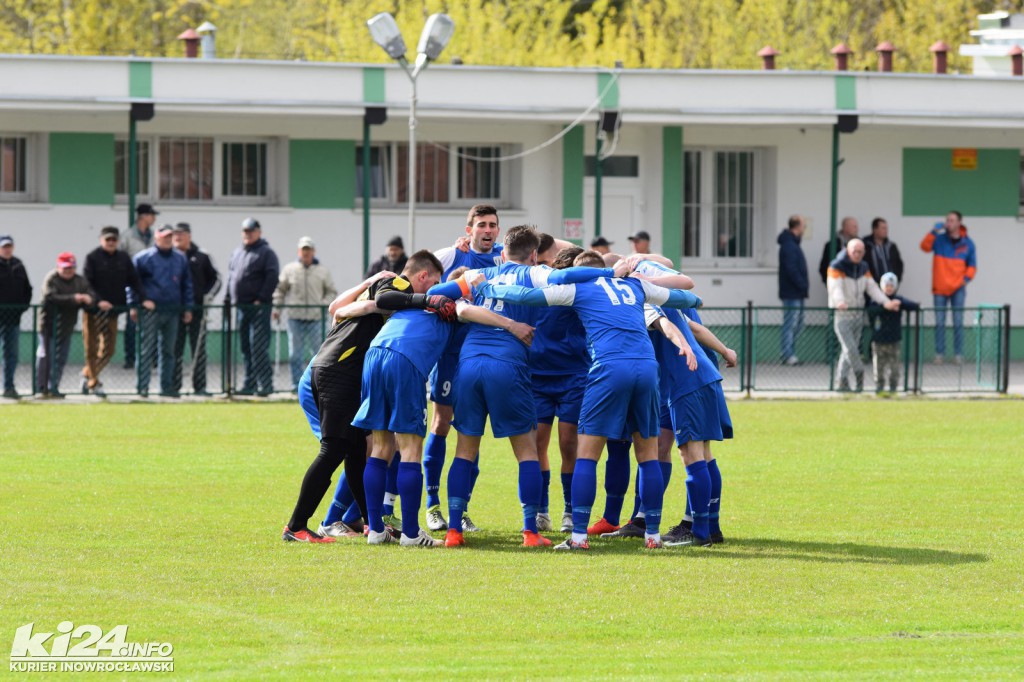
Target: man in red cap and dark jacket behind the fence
64,293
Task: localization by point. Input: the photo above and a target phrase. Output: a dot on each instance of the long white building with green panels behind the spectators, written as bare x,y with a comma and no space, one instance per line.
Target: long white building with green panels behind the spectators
710,163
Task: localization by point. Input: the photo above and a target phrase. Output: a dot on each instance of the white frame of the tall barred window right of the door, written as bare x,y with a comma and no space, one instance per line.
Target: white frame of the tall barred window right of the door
707,247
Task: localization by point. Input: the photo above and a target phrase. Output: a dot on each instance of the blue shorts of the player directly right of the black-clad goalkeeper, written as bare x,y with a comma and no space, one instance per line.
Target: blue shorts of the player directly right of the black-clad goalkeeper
395,395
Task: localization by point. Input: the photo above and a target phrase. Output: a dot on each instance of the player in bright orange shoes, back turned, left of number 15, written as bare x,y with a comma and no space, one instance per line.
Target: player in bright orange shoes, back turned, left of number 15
490,353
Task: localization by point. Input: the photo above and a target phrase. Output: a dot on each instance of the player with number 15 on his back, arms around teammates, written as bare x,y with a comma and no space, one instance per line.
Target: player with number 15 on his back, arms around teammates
621,399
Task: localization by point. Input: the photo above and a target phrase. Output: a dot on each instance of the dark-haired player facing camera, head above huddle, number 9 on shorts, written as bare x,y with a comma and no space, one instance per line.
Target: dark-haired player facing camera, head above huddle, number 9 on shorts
484,251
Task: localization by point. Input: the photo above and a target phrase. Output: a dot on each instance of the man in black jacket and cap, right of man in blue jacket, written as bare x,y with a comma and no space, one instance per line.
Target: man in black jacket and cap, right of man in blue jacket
206,283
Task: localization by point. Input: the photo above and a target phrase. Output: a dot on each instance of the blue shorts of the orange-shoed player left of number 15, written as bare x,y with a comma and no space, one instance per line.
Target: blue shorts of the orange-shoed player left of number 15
489,387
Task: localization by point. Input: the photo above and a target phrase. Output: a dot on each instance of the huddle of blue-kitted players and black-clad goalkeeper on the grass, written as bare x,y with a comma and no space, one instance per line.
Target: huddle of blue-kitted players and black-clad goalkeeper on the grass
522,333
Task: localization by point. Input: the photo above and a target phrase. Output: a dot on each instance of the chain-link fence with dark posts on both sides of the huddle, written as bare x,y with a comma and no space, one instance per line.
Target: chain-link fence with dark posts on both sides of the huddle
263,351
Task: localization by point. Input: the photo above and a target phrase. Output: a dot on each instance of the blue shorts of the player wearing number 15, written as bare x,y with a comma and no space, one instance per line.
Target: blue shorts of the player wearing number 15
621,400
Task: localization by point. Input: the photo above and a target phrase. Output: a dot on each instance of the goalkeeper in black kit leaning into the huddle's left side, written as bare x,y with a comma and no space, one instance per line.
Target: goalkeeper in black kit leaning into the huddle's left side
336,376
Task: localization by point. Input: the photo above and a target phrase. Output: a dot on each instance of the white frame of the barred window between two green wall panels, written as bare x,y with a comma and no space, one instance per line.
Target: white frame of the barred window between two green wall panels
272,198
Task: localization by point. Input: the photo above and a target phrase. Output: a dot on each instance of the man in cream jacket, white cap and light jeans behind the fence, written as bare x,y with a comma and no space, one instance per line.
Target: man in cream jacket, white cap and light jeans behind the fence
305,283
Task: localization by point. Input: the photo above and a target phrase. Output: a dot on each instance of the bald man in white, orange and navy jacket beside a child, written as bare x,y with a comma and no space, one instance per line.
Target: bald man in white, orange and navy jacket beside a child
848,282
